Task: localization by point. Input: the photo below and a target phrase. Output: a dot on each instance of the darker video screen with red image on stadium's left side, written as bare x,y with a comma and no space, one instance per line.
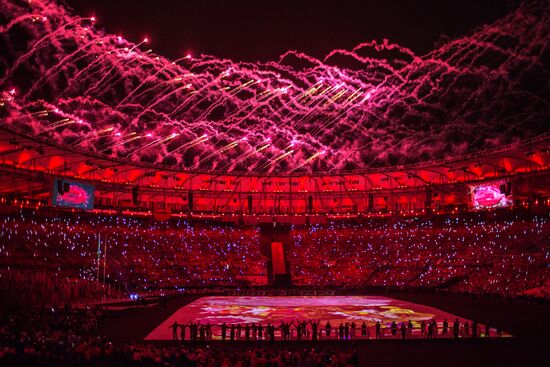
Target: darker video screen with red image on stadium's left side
72,194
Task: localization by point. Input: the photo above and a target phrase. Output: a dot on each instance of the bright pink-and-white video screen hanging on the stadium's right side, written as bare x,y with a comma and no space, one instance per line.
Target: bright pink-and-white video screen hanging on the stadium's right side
489,195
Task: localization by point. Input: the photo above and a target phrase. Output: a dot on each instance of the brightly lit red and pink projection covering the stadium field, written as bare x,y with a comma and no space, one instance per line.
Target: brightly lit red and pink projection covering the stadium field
271,309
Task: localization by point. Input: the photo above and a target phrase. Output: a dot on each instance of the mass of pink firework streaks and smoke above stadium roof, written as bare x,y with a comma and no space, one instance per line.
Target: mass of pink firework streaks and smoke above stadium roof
104,94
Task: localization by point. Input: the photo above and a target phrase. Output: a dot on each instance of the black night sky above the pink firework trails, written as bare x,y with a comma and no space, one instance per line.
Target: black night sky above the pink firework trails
262,30
